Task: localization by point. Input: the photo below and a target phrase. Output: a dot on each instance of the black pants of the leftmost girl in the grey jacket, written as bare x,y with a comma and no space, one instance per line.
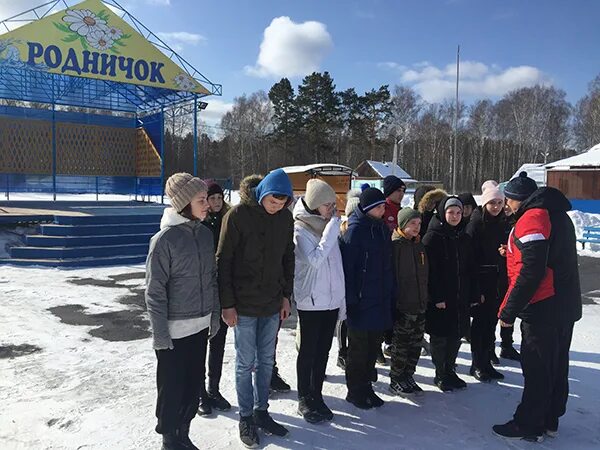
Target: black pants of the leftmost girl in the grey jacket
179,379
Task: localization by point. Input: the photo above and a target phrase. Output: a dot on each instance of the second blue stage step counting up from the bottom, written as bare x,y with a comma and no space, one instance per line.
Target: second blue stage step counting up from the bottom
78,252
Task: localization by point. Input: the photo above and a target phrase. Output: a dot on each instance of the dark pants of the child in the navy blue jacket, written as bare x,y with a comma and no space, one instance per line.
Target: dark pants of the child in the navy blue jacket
363,347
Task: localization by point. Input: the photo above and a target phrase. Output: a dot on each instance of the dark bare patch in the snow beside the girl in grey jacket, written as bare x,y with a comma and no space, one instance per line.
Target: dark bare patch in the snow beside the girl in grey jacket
117,326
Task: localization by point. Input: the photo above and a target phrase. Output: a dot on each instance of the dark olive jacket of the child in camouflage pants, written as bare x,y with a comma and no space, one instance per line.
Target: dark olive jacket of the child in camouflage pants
412,271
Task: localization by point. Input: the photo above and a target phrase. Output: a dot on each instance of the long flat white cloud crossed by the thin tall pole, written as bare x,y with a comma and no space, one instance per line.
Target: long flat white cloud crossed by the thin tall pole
477,79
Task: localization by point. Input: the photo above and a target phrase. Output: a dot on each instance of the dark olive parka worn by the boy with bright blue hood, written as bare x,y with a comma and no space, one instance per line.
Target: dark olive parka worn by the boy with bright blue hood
255,256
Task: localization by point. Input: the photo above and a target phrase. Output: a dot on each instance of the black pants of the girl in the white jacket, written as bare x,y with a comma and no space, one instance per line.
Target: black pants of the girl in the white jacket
316,335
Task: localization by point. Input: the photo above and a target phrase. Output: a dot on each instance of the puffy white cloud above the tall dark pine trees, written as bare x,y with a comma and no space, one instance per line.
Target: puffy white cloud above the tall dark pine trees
291,49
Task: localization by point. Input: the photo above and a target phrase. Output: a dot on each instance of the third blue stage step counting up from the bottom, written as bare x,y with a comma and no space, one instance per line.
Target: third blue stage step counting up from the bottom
39,240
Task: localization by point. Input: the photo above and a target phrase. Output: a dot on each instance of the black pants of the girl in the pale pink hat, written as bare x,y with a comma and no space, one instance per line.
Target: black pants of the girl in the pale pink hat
483,334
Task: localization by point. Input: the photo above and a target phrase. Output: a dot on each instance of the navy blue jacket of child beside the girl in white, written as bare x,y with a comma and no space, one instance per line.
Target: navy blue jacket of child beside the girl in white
368,269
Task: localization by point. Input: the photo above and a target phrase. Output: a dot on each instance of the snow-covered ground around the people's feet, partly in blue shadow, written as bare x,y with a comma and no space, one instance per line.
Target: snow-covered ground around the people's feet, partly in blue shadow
77,372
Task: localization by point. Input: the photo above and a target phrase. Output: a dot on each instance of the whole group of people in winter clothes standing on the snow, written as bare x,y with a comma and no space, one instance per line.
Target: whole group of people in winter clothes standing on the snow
446,267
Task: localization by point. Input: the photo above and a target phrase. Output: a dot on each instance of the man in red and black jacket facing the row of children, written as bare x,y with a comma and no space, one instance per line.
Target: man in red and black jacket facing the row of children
544,292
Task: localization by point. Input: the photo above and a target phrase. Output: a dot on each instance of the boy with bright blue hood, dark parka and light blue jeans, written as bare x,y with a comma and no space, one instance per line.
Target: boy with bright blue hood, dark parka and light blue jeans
255,259
